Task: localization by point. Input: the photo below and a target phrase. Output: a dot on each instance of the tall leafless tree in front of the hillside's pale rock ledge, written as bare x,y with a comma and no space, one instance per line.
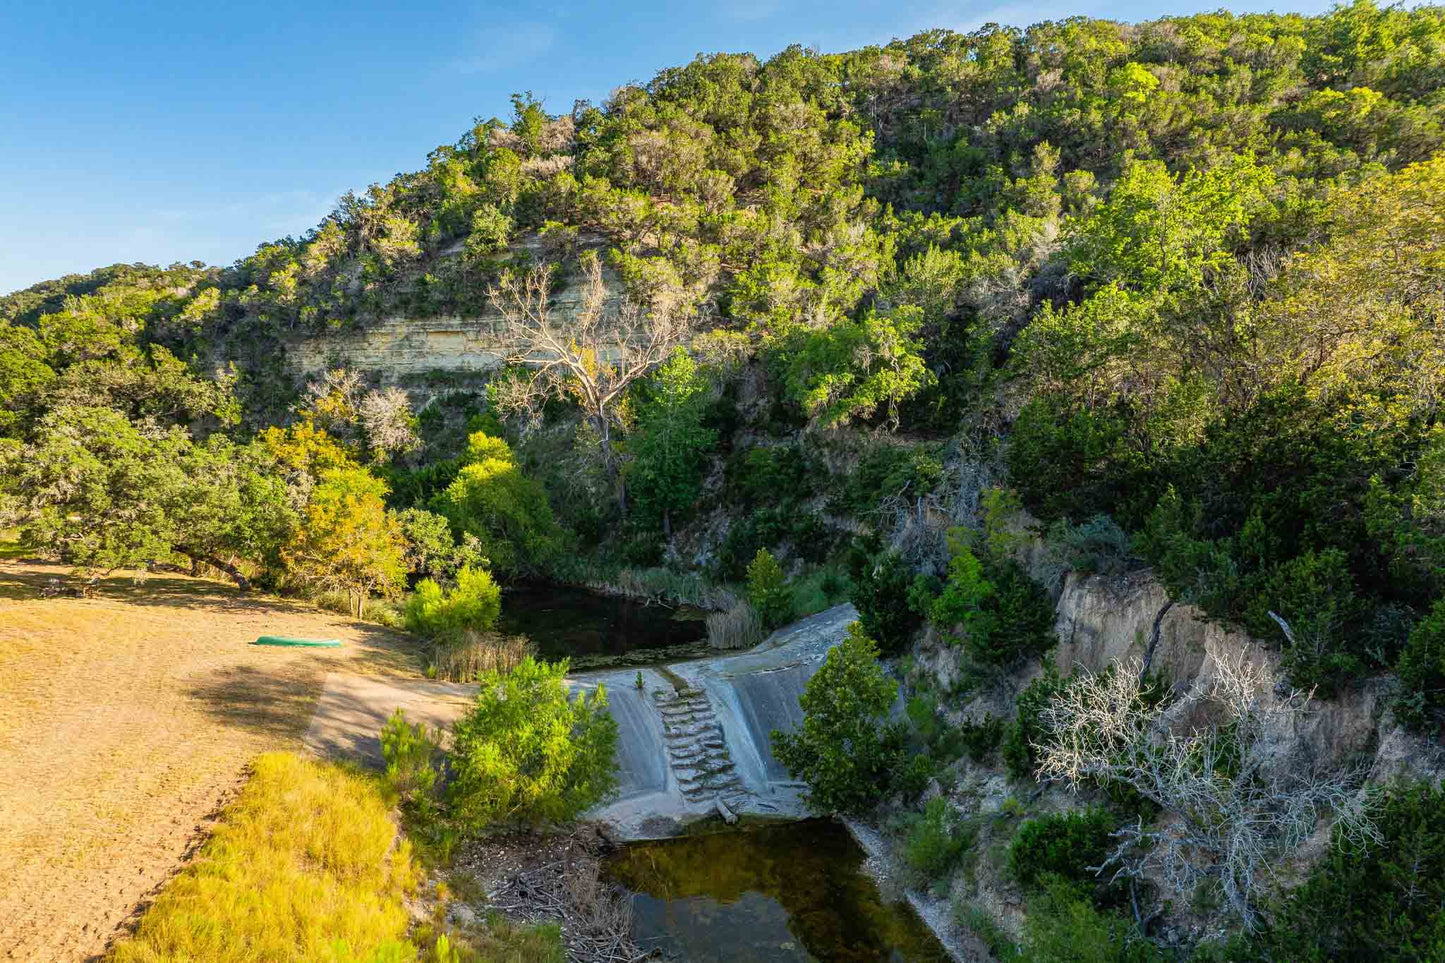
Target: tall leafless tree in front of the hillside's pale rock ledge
590,358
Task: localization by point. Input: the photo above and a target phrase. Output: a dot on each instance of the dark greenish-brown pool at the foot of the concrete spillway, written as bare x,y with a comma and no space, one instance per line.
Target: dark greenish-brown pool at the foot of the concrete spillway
782,894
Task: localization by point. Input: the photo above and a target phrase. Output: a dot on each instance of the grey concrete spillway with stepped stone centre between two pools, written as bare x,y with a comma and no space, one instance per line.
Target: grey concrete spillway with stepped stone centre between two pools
699,734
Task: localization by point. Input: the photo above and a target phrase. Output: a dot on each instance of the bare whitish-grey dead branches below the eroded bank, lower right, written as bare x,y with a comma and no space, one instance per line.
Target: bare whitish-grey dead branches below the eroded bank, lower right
1233,806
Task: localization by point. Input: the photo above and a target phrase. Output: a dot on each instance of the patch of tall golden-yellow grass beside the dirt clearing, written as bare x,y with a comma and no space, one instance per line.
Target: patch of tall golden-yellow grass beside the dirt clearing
303,868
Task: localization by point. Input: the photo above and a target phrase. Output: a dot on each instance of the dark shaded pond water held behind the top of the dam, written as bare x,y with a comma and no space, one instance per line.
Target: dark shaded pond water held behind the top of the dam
595,630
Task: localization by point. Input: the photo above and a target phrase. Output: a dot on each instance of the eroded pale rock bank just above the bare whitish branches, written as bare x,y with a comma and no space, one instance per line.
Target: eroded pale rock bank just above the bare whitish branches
1105,621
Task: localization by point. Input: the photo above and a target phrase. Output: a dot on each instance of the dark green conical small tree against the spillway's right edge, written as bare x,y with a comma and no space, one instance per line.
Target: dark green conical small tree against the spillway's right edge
846,750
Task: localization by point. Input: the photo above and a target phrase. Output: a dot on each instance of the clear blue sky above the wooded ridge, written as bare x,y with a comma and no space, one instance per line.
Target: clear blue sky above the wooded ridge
168,132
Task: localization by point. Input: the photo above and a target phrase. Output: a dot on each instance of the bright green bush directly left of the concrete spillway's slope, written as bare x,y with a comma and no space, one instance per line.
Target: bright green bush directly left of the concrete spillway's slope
527,753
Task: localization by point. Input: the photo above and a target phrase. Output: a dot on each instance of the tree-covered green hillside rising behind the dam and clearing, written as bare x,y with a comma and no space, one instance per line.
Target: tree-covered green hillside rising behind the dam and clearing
1176,290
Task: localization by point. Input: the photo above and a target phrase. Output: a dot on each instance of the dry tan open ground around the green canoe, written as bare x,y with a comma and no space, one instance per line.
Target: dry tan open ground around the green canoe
125,724
